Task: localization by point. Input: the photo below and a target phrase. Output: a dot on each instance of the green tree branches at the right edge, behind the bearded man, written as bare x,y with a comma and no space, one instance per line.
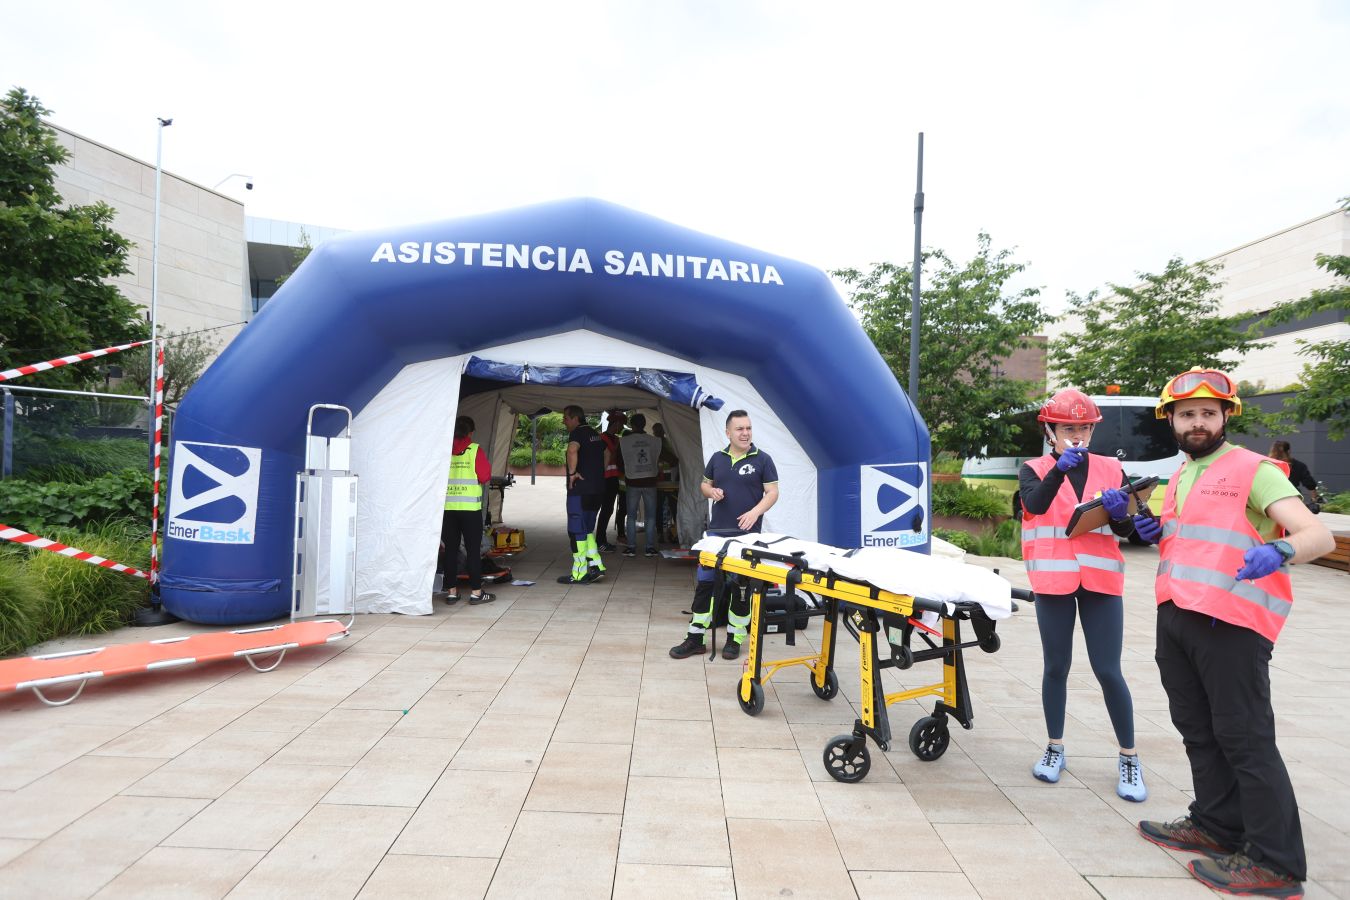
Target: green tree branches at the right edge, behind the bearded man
1326,376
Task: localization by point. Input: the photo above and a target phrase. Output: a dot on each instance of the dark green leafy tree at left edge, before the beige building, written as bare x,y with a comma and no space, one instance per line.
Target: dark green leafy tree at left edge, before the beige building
55,260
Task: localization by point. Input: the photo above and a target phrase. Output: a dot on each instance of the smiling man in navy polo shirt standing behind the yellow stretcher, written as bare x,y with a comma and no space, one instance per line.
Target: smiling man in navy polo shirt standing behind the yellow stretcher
742,481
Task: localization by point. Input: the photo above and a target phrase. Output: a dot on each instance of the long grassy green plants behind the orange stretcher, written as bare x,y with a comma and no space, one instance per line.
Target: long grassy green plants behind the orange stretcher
45,596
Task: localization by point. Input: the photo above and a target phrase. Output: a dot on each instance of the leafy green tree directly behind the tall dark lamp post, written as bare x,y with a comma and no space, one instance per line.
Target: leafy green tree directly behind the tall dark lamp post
970,323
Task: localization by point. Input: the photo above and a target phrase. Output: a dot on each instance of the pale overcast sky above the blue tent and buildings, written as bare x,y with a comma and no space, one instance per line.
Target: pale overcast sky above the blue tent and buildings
1097,138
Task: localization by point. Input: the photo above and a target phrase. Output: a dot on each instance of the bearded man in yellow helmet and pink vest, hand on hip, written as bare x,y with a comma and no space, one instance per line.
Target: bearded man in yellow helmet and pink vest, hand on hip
1232,526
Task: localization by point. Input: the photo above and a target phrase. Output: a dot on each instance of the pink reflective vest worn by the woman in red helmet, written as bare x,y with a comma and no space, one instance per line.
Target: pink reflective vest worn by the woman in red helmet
1060,565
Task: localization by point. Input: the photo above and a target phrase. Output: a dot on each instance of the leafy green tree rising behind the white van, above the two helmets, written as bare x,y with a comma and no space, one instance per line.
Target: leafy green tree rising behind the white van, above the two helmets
1141,337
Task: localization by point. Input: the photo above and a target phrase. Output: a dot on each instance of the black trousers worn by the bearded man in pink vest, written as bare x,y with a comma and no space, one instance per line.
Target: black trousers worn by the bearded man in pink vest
1218,682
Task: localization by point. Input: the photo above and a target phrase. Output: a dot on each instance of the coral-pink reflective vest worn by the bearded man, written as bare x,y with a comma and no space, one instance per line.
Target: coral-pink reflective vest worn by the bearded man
1204,547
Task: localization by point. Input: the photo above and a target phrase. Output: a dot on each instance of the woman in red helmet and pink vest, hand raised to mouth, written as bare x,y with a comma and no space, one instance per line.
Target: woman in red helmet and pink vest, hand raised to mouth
1078,578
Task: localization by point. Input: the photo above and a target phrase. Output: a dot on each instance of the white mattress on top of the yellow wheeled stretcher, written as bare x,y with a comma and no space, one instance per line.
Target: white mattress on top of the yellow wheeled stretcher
892,570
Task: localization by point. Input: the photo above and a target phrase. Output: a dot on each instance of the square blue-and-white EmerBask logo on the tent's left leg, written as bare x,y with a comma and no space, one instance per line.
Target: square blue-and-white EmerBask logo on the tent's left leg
214,497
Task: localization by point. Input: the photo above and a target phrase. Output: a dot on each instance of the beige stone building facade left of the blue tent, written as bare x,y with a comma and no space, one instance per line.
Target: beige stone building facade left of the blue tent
203,256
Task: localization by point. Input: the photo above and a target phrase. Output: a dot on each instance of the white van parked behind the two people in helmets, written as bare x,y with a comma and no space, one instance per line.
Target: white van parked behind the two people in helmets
1128,431
